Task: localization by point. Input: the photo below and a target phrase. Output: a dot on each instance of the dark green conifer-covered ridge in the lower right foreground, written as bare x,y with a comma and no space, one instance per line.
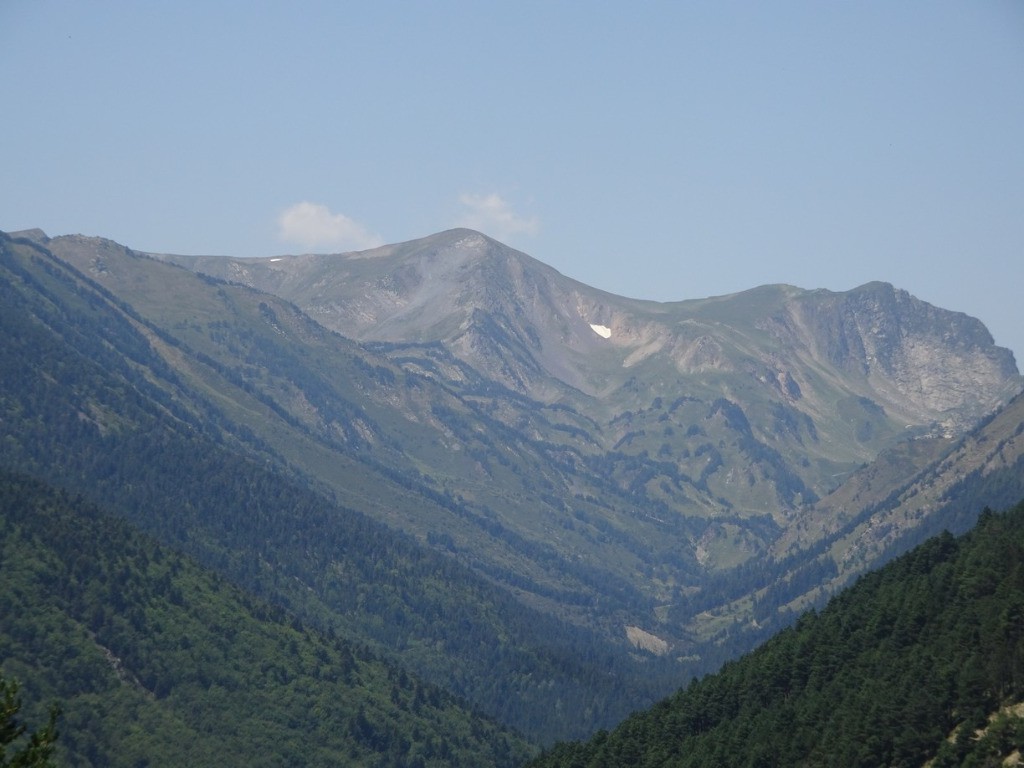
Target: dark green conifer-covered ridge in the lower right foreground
932,645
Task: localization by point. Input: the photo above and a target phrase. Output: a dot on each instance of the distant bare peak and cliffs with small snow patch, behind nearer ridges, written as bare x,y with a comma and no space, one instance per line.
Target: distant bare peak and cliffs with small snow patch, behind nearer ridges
824,380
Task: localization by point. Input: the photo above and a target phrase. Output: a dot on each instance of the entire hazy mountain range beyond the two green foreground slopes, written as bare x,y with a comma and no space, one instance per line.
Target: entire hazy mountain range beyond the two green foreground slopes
612,495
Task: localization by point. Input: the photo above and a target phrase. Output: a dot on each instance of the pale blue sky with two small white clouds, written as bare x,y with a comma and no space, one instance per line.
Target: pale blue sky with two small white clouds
663,151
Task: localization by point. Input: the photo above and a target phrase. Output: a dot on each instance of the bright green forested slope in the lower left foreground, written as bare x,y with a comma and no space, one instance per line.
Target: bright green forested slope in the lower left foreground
159,662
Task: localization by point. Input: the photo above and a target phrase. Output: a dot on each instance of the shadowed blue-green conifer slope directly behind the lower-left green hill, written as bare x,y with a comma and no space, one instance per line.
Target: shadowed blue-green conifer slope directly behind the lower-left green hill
89,404
